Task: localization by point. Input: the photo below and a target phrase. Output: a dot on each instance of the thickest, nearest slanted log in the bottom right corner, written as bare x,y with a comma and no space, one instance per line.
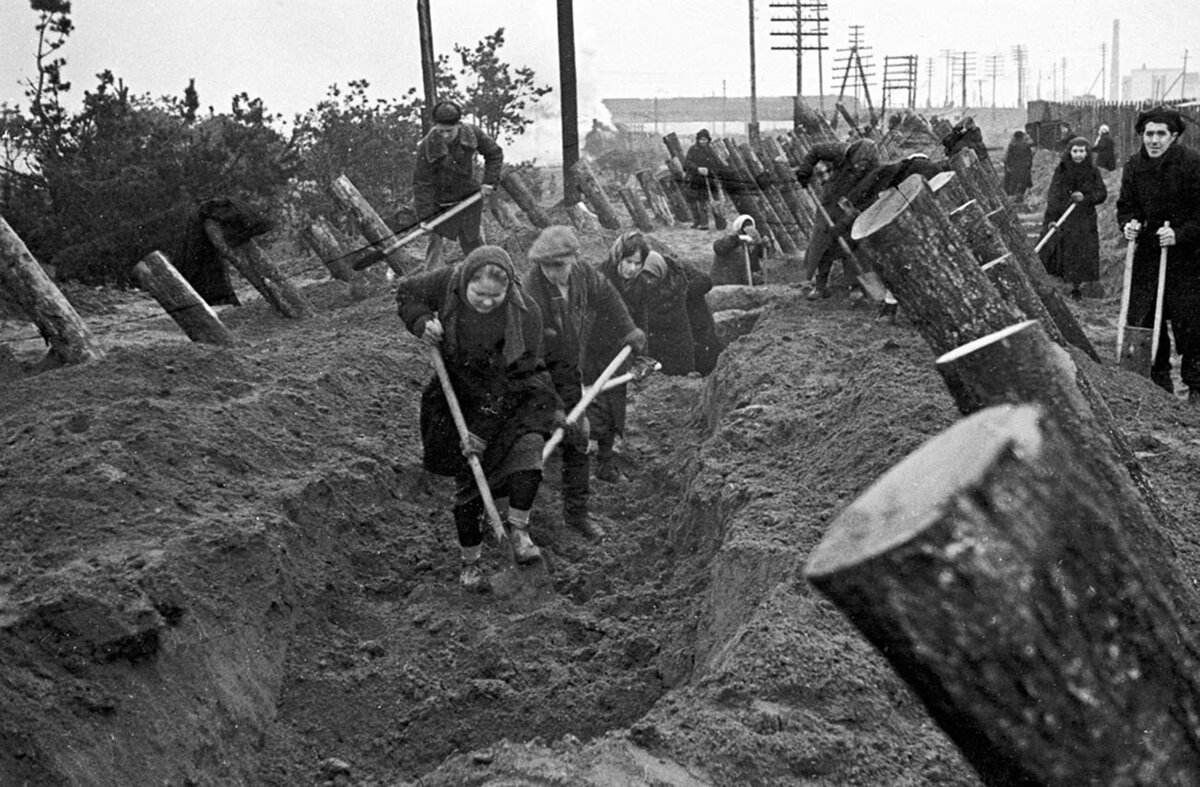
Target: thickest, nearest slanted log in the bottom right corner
991,569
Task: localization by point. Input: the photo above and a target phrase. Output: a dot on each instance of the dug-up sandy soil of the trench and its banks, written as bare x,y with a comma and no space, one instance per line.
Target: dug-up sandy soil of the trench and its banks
226,567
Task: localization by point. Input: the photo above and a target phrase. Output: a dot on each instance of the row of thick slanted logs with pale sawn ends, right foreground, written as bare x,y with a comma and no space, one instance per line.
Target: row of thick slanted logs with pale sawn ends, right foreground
1016,570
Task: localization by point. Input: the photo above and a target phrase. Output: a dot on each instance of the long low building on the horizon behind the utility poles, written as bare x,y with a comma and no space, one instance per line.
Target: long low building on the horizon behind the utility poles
724,117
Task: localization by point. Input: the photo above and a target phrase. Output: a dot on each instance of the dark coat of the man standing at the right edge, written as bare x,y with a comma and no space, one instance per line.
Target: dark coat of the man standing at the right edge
1155,191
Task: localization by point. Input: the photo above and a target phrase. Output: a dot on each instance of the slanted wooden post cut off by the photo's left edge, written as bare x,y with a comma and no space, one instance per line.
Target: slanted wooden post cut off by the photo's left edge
27,284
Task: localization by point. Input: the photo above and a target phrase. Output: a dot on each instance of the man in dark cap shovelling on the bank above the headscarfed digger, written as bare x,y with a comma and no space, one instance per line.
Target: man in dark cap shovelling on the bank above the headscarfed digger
445,176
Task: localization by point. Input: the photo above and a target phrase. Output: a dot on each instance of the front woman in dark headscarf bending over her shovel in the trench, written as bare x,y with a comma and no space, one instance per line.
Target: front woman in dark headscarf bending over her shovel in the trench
490,337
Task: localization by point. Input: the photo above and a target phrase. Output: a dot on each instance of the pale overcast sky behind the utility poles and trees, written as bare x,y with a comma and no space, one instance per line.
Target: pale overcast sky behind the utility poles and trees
289,52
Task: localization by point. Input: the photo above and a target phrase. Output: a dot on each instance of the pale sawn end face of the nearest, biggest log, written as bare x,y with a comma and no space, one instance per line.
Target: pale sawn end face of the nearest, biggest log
911,497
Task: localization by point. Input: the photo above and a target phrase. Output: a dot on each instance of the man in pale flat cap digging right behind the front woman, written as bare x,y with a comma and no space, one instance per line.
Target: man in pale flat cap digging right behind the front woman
581,311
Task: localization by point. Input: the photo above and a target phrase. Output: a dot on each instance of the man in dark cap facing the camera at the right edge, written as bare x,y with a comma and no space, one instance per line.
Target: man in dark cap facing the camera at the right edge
1160,208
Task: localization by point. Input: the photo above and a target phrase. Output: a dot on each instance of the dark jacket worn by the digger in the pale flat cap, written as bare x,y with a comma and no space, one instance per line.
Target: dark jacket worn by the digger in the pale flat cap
593,321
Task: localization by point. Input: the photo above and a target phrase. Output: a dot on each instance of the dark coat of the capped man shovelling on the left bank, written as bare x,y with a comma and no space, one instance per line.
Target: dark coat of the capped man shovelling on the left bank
445,175
